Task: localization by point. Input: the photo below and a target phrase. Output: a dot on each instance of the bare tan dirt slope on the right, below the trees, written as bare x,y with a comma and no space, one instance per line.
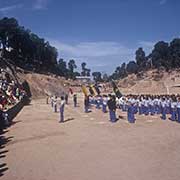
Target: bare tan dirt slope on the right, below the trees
153,82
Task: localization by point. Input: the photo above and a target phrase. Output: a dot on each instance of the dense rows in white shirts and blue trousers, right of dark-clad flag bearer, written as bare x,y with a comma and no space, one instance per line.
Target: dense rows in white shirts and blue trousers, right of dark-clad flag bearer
151,105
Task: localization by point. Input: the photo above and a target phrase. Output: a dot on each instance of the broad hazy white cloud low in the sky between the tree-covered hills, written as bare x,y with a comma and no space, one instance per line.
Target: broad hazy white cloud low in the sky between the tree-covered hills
102,56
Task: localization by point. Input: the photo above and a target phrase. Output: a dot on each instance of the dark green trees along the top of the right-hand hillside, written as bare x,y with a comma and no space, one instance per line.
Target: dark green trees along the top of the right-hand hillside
164,54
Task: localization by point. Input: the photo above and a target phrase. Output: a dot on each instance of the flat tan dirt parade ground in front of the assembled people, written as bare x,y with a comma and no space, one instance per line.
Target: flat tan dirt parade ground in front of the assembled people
88,146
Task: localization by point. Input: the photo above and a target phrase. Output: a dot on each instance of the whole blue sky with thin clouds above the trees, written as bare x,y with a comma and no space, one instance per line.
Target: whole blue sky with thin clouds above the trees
103,33
